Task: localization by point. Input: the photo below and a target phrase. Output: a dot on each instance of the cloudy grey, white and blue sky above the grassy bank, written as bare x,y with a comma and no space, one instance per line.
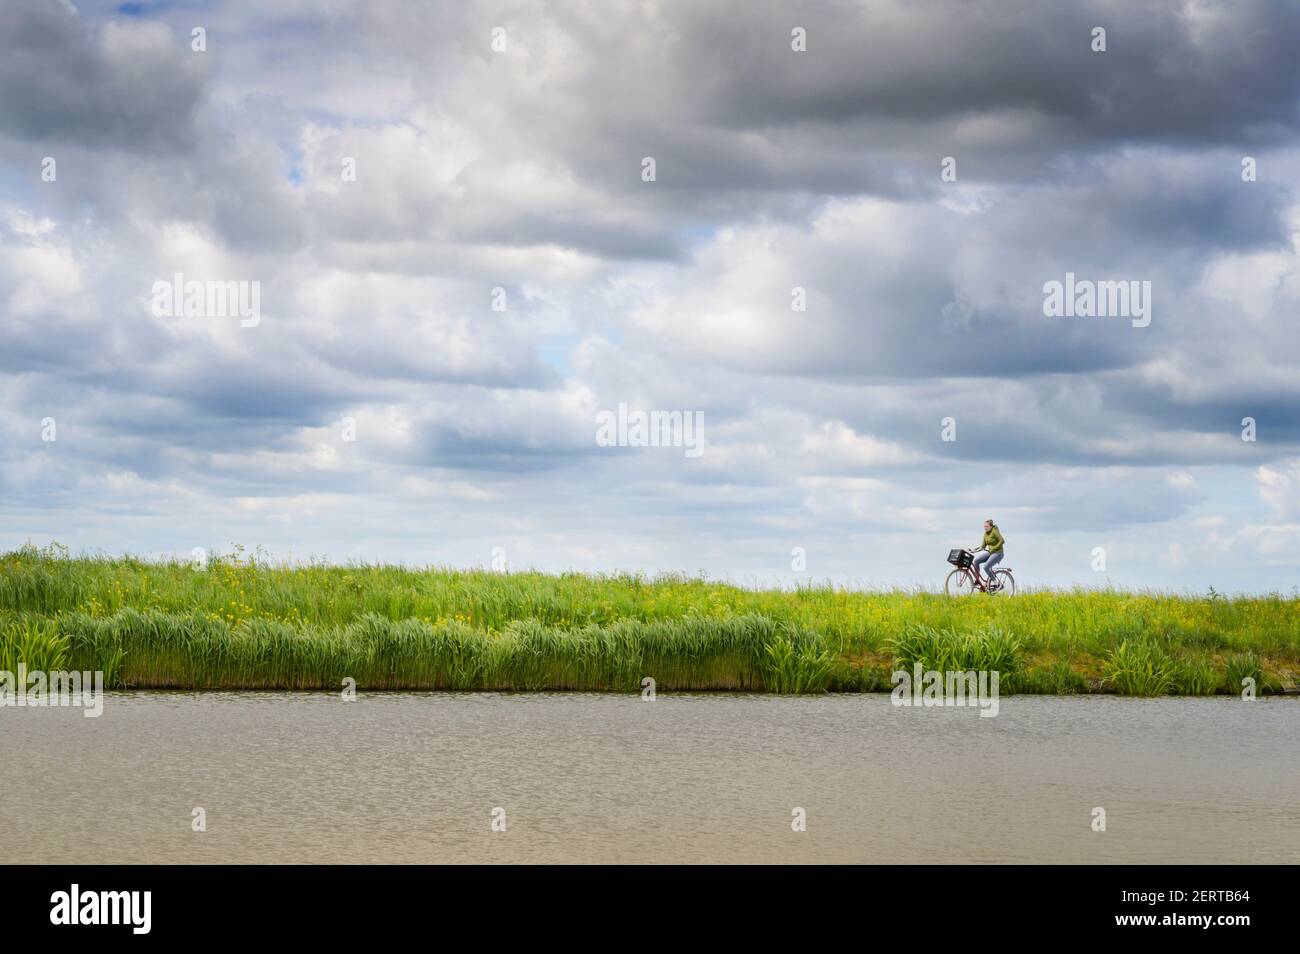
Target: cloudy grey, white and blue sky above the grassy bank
499,151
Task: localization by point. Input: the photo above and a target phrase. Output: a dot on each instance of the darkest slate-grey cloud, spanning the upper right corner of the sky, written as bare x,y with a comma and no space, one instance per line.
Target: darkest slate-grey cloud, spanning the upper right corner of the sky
1186,73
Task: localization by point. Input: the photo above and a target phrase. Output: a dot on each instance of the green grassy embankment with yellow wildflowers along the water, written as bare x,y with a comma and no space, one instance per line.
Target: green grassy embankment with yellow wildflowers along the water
242,623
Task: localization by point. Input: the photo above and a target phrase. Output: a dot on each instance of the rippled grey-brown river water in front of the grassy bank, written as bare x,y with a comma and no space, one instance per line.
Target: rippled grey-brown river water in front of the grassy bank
692,778
